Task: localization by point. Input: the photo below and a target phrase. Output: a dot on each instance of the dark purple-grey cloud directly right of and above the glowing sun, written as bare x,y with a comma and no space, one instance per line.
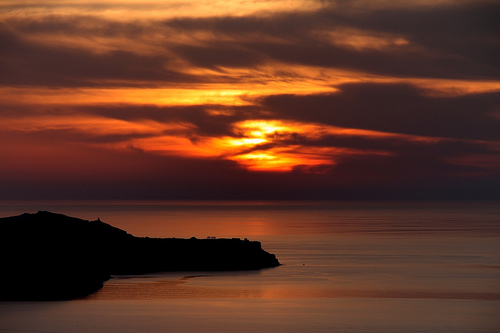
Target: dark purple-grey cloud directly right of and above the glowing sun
395,108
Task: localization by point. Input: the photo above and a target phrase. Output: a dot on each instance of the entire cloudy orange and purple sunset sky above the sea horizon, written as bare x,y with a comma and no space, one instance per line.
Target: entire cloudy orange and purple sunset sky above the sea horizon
257,100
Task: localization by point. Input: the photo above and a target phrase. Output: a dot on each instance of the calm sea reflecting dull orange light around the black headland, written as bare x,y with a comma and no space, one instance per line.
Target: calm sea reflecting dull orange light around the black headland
345,267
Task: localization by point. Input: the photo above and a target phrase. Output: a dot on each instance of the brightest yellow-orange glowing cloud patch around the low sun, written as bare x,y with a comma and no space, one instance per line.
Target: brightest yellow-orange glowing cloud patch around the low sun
259,145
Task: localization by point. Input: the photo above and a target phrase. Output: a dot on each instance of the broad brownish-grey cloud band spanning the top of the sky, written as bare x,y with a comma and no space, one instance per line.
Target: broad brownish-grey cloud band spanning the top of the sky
61,49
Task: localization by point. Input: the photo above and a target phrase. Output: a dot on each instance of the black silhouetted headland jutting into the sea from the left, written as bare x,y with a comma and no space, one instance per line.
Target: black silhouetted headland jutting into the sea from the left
47,256
